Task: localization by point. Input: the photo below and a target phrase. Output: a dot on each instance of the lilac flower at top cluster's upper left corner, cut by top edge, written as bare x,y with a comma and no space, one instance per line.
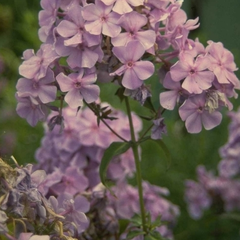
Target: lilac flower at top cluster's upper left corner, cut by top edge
47,17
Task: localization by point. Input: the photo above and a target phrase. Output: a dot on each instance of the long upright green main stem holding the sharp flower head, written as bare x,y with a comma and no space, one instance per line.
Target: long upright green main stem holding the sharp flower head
137,164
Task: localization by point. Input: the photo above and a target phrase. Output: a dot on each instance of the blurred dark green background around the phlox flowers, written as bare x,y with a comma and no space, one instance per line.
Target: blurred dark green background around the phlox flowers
219,21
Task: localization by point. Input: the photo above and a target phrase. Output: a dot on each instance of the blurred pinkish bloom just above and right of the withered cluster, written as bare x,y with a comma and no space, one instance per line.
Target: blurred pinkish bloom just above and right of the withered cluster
73,181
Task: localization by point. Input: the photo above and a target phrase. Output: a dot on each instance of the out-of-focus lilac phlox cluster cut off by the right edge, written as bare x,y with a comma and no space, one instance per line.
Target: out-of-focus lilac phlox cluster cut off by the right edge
223,190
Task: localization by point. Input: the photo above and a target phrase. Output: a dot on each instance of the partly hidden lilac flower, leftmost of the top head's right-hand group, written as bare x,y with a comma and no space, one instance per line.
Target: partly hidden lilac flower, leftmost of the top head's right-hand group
176,94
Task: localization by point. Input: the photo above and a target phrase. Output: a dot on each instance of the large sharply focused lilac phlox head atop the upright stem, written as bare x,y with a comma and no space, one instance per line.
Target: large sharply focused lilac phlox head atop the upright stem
85,42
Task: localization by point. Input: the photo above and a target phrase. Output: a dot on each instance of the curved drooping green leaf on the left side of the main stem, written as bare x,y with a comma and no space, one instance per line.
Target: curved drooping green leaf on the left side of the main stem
115,149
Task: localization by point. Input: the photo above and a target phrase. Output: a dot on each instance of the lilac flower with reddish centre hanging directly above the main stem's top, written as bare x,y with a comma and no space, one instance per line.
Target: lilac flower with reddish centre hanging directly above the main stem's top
134,71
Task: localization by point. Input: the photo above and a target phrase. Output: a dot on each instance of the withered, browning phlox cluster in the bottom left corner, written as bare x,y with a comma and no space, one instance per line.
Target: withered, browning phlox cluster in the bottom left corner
25,208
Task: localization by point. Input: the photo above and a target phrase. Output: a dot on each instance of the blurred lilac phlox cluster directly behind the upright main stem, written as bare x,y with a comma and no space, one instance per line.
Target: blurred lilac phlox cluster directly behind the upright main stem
71,159
